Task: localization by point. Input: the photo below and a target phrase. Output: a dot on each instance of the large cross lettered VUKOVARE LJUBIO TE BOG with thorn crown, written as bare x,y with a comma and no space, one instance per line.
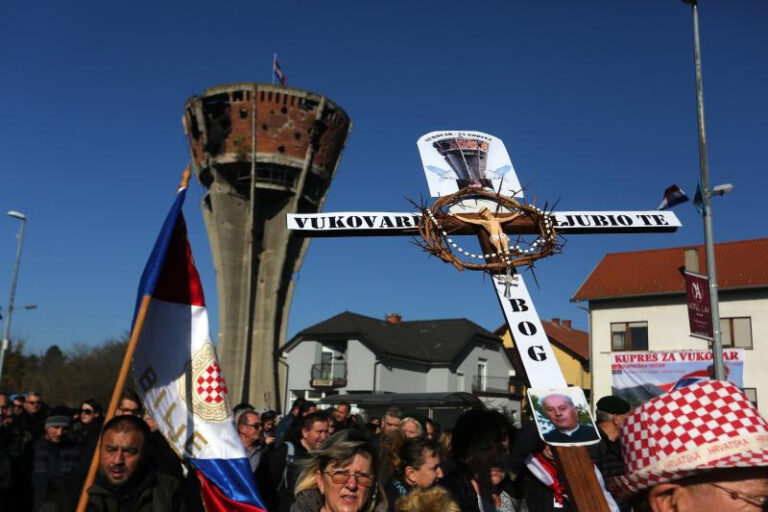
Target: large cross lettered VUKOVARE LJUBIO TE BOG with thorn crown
438,224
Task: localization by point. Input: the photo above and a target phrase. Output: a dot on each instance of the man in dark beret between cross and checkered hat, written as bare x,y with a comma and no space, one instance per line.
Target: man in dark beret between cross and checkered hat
611,411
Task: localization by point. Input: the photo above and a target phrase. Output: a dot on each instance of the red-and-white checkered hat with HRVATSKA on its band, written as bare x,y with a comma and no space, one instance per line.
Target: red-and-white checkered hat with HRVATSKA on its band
702,426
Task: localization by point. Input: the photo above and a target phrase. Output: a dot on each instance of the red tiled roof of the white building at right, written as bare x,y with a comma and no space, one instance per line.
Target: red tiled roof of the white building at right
741,264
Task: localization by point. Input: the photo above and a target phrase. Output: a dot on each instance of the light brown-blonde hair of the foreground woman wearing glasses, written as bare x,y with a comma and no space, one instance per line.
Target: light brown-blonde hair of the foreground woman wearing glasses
339,450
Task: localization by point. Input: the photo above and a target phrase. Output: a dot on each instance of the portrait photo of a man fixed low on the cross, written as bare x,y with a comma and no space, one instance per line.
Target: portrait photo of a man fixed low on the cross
562,424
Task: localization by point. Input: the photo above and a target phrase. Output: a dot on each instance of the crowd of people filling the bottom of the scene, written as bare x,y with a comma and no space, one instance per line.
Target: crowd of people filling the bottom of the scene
703,447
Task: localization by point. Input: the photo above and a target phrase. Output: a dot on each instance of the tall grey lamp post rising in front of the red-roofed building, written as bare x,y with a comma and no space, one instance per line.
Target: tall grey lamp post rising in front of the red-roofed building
706,195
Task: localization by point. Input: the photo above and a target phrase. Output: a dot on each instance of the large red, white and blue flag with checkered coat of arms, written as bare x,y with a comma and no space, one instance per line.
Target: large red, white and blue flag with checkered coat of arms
178,373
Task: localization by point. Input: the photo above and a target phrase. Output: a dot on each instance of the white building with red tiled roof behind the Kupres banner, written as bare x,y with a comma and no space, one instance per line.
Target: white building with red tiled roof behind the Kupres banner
637,302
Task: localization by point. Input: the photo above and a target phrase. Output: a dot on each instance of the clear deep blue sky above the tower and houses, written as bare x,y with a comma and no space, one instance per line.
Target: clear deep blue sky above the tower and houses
594,101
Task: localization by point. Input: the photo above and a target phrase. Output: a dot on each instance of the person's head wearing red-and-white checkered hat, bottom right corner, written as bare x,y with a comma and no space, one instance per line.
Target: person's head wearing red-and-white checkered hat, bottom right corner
702,447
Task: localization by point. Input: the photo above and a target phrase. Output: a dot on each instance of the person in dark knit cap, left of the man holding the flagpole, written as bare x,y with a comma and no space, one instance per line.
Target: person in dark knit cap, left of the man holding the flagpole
55,457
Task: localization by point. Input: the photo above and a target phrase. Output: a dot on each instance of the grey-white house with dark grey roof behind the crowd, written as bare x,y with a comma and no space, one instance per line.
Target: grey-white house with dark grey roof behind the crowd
355,354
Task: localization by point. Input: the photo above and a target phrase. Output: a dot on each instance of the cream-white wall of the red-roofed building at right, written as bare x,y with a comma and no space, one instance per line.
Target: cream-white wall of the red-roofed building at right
667,319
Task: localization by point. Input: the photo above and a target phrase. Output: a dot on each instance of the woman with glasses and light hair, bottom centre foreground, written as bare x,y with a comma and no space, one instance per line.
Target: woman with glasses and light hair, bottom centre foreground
339,477
